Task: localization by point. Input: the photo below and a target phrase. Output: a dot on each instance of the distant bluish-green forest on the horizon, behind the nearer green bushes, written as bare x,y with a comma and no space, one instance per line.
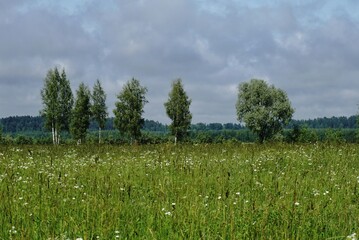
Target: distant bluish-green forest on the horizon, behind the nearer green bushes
19,124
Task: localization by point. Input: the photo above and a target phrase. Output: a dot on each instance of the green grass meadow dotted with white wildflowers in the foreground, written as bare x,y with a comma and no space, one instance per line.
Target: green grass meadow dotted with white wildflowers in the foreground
223,191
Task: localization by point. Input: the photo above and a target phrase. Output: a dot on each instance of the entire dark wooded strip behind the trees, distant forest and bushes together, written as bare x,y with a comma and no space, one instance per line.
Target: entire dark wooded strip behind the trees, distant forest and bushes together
30,130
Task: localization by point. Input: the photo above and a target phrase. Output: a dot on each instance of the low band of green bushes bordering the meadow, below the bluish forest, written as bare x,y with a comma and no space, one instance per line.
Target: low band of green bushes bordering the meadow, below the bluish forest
295,135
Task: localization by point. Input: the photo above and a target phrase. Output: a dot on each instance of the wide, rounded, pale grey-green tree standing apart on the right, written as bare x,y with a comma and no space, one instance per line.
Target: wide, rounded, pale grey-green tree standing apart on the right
263,108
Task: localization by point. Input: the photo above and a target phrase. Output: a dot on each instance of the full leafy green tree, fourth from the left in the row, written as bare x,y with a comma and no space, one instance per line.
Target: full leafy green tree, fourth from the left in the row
129,109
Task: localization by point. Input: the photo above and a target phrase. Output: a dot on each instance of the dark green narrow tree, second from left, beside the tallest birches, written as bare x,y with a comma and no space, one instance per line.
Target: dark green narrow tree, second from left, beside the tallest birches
81,113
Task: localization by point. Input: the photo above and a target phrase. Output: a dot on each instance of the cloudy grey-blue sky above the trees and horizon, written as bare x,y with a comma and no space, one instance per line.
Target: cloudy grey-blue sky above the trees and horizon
308,48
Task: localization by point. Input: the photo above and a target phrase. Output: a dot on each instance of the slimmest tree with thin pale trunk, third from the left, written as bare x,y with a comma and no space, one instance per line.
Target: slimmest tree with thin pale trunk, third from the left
98,108
